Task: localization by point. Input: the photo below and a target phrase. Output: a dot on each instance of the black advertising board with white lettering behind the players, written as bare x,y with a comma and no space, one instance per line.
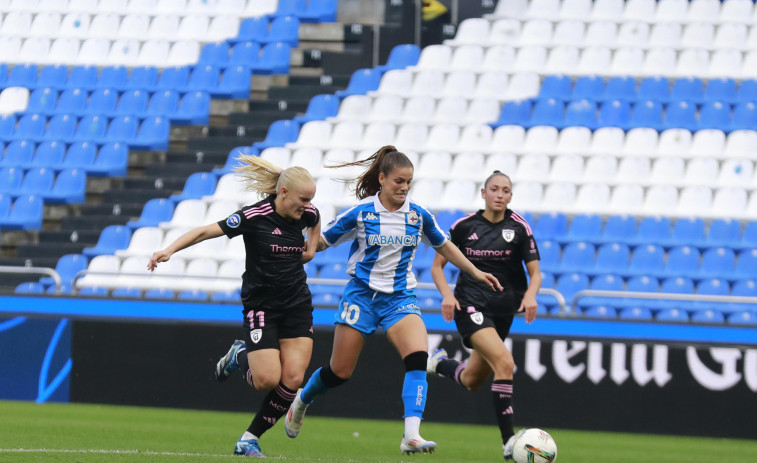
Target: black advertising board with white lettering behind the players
606,385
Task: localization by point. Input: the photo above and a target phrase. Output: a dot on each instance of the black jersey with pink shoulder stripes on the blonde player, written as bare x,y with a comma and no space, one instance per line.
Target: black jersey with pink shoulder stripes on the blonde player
273,246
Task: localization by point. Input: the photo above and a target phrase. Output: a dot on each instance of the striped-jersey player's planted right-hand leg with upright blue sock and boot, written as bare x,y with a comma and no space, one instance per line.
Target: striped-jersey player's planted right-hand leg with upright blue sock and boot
409,337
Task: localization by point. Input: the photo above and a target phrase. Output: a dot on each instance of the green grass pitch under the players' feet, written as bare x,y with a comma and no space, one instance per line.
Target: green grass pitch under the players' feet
94,433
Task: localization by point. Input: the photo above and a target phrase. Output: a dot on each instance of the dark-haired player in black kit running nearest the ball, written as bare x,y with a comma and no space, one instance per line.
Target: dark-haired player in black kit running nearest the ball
497,240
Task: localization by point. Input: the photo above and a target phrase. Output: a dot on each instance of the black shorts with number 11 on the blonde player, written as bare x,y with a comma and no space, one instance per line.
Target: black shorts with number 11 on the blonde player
266,320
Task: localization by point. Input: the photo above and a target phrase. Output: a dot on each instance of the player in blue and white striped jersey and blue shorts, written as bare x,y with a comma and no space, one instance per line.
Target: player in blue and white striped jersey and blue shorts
385,227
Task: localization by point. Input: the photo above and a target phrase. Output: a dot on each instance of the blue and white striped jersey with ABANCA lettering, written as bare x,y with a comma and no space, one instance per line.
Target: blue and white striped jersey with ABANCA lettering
384,242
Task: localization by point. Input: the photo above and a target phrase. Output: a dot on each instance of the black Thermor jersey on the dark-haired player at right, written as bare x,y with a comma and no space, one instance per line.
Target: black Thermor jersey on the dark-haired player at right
497,248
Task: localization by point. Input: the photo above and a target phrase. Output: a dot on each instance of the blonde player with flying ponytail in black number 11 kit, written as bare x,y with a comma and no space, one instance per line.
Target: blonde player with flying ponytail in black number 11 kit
278,308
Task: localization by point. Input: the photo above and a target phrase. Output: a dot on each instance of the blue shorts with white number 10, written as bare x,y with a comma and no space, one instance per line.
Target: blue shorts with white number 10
366,309
